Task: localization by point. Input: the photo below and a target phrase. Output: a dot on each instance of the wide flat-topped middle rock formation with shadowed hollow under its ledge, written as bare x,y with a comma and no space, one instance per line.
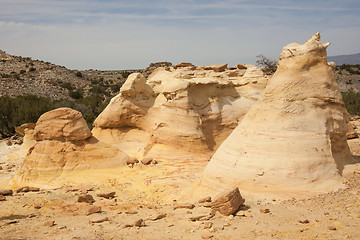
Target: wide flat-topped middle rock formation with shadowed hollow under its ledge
180,111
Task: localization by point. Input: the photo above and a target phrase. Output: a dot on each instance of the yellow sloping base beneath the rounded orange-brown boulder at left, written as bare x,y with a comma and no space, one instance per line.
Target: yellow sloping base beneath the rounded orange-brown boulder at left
49,161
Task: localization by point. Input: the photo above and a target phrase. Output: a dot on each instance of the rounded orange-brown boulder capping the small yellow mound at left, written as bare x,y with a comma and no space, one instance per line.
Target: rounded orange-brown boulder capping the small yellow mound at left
63,124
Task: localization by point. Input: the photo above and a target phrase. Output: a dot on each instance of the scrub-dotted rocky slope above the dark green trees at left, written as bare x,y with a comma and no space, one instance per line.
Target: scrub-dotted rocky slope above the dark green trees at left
23,75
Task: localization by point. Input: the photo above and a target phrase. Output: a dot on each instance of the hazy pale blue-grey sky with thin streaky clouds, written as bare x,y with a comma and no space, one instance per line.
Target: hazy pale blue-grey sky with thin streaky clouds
130,34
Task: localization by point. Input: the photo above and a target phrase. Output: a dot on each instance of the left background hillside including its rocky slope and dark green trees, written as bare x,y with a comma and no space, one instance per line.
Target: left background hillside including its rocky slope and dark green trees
28,88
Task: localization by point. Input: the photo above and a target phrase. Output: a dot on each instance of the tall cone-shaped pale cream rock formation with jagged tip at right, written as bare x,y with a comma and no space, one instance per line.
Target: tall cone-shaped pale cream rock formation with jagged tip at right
293,139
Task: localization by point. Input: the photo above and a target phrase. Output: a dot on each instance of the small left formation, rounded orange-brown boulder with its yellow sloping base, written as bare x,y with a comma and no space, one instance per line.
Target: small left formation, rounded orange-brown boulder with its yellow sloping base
64,146
